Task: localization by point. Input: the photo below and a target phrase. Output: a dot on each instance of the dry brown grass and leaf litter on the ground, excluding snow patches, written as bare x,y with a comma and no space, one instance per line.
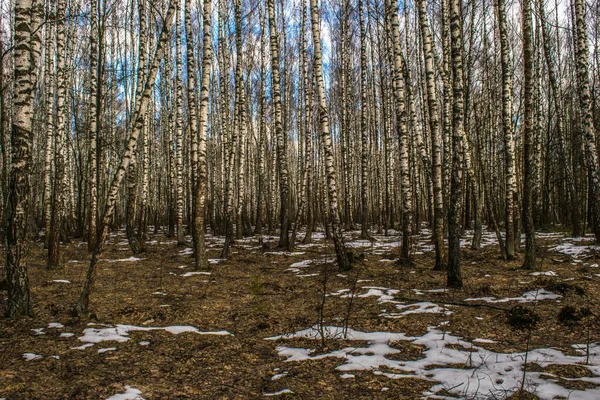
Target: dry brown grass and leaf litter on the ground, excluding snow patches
253,297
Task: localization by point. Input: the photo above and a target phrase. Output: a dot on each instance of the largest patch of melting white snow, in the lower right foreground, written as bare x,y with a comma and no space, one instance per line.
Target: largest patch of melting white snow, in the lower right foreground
484,373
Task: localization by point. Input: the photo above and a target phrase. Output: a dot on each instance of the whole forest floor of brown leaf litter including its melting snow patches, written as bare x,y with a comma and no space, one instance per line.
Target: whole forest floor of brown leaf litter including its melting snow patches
254,327
